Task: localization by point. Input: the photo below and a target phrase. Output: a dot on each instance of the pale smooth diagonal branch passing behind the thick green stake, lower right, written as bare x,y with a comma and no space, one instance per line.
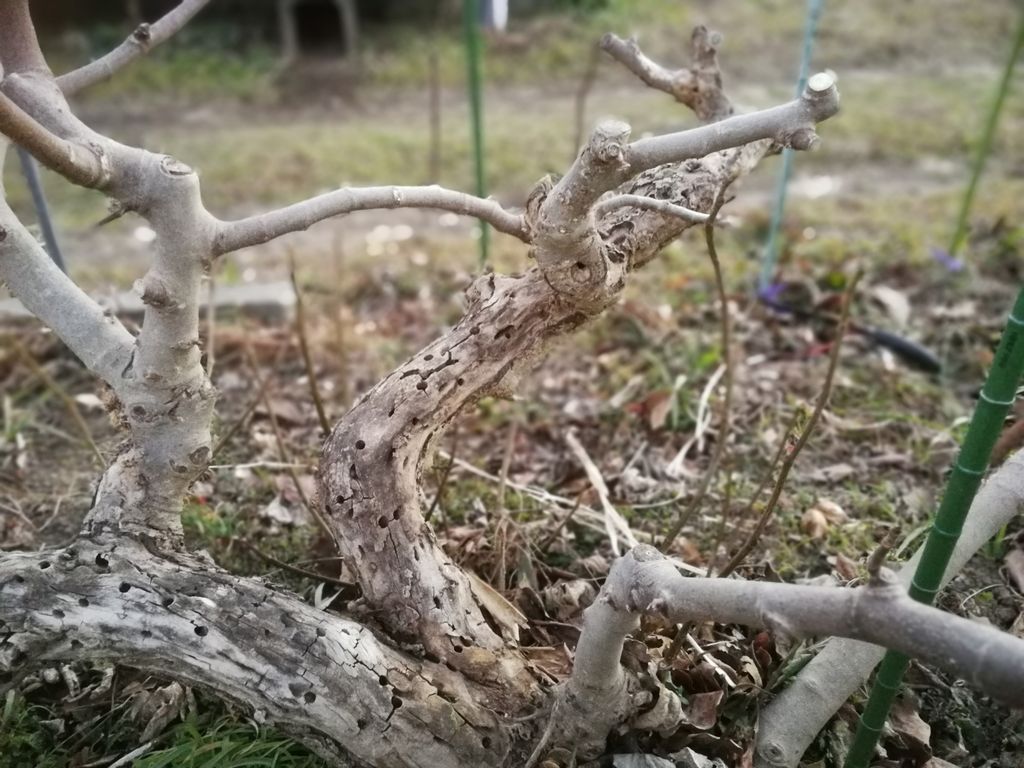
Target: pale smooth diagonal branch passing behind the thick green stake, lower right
790,723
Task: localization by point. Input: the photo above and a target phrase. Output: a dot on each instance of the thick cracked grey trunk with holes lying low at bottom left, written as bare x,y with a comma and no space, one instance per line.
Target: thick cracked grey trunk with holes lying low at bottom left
329,681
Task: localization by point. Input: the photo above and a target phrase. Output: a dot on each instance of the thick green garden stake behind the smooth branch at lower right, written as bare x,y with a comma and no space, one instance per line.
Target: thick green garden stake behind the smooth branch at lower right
994,404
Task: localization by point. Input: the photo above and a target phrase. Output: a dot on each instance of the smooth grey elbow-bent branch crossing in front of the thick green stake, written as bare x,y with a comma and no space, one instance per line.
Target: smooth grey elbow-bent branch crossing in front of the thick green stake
645,582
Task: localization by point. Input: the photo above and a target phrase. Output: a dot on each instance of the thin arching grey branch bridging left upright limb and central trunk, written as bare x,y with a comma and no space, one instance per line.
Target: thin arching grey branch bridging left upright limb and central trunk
266,227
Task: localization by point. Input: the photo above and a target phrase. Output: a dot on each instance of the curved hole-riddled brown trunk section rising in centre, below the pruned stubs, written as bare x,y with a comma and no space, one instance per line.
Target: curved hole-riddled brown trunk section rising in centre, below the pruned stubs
372,460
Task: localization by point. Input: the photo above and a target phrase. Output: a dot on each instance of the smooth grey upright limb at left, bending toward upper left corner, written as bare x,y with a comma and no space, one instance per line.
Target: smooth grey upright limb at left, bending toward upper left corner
166,397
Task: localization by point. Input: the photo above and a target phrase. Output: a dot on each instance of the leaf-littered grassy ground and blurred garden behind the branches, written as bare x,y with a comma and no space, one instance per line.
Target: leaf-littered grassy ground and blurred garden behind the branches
275,102
